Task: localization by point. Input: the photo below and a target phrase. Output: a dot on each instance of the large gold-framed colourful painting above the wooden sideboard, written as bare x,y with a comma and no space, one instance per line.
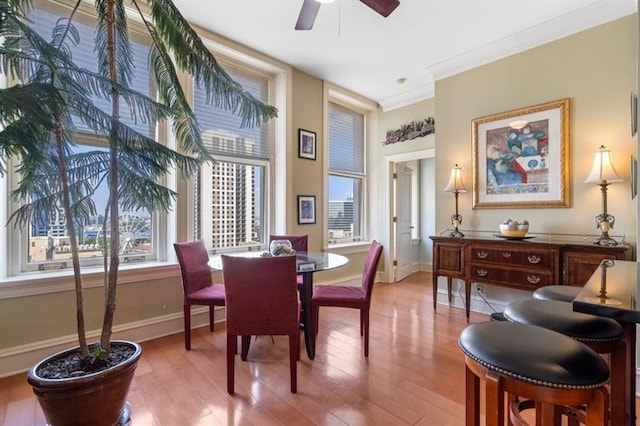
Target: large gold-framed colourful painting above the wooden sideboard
520,157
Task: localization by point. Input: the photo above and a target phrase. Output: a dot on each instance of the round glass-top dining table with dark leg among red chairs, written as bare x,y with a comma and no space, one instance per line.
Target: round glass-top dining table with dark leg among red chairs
307,264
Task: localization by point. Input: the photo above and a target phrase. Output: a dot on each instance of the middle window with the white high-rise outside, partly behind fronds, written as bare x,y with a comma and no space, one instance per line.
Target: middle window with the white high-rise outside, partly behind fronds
231,194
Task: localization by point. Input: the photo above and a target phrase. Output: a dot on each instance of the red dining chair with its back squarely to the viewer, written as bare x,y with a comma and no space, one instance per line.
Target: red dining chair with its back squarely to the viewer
262,299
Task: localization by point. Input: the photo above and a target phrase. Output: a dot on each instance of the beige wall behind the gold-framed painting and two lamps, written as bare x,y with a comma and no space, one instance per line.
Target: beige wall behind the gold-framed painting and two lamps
596,69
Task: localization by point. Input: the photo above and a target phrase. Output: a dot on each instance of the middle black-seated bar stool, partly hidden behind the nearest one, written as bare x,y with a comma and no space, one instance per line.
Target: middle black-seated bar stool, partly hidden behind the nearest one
603,335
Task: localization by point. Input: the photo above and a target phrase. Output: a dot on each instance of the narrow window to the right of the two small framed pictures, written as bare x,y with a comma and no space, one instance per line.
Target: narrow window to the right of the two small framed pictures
346,178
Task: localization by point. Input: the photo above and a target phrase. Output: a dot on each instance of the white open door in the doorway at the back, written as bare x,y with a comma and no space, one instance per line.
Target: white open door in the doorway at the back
403,226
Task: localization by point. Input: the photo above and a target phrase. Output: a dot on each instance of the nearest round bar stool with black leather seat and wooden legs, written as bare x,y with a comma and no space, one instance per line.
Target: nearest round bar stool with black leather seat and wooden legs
533,363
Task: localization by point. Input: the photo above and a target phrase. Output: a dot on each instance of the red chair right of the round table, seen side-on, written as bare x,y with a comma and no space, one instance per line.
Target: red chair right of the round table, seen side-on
350,296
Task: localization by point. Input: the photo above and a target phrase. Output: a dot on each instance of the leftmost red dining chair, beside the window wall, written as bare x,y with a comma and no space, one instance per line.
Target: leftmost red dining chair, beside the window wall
197,283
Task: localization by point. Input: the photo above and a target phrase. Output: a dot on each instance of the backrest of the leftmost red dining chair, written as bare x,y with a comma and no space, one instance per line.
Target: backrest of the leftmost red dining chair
193,258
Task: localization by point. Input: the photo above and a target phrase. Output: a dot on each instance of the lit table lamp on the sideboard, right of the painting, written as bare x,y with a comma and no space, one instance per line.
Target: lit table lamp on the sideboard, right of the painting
603,173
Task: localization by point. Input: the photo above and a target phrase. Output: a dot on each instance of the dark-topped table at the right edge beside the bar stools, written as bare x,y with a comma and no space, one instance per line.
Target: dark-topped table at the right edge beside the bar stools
612,292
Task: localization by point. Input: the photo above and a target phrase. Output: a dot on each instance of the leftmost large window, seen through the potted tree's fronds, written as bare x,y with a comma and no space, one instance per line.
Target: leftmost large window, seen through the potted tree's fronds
47,242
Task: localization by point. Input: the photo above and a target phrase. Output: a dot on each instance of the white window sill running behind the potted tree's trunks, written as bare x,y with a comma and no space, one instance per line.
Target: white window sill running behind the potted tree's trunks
35,283
